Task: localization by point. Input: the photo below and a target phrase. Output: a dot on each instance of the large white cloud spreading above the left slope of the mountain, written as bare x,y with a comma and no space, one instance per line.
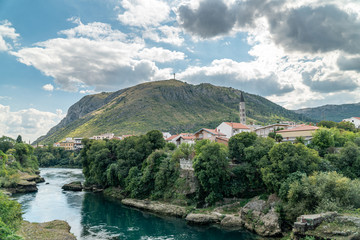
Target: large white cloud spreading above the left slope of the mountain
94,55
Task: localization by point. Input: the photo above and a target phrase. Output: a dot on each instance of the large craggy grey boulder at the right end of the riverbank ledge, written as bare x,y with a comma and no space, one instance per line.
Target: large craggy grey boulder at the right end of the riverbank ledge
260,216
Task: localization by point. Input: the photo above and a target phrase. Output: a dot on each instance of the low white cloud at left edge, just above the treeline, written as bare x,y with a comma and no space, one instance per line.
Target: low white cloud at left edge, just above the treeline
29,123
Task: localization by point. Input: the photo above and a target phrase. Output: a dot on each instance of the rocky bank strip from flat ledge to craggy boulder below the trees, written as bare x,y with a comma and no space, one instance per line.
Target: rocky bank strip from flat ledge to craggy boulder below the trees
257,215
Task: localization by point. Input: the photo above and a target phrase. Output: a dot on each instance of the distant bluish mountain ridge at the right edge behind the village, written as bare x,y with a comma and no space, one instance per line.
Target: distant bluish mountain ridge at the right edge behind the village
334,113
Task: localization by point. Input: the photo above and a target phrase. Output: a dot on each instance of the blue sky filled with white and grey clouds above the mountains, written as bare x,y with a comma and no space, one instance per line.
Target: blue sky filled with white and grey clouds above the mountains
296,53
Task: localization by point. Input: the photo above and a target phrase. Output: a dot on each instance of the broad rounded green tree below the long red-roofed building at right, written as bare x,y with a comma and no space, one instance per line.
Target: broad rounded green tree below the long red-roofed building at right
284,159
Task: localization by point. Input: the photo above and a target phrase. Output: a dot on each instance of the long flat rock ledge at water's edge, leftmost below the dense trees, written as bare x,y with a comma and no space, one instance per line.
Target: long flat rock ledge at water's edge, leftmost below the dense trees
156,207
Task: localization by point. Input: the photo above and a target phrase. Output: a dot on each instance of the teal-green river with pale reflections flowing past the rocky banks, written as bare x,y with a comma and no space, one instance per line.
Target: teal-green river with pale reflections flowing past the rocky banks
93,216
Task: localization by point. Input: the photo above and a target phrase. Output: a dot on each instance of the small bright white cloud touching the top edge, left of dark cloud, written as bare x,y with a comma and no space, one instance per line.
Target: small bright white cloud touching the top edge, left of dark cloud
144,13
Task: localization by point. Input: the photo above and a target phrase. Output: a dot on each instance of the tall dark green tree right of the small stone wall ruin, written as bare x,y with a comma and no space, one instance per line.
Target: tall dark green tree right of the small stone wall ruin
211,169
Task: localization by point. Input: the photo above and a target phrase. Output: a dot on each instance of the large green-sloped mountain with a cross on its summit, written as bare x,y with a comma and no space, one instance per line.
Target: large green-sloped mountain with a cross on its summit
168,105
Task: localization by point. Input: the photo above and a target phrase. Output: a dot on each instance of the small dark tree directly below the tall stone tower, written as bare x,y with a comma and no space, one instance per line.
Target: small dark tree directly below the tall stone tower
238,143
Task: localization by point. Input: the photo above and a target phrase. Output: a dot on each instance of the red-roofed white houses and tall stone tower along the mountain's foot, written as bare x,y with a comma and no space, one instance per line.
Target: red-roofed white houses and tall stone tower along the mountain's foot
289,132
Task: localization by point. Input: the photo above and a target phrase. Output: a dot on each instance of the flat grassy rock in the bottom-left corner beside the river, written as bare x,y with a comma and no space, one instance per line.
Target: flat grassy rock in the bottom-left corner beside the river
54,230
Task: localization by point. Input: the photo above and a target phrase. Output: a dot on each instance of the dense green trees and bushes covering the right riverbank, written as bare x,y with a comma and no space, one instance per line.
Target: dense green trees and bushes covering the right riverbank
145,167
